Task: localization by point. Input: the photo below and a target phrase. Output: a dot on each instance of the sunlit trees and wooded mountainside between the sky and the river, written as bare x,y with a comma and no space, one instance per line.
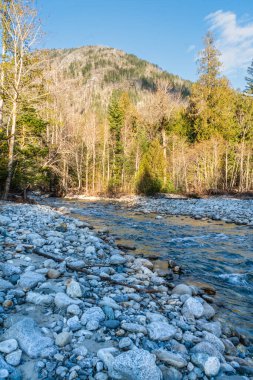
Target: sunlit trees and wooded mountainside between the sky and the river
96,120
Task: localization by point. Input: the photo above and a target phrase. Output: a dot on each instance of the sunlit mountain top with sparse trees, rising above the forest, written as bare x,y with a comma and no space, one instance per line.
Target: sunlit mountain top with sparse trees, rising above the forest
98,70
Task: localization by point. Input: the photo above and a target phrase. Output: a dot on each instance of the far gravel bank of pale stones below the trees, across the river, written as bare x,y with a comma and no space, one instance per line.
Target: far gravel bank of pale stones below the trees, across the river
227,209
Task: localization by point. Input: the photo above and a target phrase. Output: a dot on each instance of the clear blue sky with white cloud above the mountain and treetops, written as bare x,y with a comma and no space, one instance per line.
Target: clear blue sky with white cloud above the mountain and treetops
166,32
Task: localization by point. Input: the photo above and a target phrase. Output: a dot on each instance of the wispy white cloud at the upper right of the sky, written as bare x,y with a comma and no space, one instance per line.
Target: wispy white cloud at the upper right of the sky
234,40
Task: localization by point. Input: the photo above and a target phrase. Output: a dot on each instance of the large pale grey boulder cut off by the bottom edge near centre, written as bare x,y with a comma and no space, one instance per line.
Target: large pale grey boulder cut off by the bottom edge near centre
135,364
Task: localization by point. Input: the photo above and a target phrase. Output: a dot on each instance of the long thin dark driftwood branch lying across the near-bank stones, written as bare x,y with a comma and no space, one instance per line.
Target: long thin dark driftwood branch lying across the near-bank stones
87,271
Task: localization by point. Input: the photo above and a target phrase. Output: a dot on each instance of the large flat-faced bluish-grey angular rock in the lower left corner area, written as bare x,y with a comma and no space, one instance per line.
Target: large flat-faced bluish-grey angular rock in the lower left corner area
29,337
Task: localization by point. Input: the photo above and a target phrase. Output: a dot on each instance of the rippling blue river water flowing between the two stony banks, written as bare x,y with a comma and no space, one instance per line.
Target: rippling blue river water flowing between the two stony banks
212,252
